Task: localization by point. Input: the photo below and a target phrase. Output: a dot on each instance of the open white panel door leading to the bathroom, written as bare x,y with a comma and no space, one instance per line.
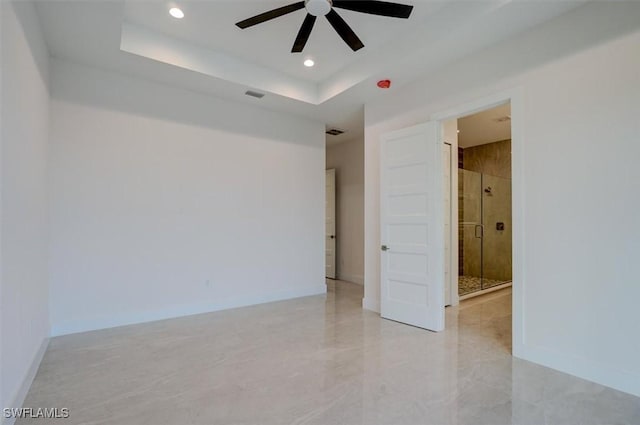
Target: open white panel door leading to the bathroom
412,227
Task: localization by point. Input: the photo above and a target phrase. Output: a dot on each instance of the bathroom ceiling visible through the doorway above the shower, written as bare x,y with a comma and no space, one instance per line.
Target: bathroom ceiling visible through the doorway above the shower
485,127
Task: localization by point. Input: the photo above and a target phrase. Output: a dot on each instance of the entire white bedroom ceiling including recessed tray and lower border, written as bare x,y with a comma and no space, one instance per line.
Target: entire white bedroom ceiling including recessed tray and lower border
207,53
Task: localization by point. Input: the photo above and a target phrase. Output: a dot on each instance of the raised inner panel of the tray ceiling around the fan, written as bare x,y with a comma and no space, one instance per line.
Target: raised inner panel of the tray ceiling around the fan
269,44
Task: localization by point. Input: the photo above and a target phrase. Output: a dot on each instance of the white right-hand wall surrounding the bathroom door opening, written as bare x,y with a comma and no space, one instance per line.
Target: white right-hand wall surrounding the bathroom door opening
578,185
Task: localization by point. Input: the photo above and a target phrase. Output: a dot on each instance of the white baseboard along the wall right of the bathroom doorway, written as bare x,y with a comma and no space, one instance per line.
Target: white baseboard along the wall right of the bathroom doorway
582,368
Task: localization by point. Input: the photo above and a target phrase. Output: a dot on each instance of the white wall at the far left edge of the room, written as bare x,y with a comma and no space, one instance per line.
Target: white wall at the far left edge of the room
24,315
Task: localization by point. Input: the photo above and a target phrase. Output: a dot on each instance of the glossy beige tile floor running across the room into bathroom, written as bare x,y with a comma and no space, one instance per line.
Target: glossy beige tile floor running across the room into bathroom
315,360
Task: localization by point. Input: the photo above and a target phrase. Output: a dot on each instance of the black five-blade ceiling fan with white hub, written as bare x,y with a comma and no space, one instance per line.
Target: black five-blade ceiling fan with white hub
325,8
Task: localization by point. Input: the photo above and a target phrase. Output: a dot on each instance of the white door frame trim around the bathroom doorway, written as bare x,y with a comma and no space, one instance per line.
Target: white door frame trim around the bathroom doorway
516,97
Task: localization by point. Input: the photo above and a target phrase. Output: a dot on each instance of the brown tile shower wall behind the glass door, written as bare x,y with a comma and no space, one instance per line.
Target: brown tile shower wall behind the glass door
494,162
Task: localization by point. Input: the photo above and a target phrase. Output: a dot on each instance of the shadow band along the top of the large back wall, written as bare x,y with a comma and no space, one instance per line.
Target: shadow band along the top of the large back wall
136,96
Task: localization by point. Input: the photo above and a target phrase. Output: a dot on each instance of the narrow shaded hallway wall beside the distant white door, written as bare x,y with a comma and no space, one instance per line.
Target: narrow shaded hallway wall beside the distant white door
348,160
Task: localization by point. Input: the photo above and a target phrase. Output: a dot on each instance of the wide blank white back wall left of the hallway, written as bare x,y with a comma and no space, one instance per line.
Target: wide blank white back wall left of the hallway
166,202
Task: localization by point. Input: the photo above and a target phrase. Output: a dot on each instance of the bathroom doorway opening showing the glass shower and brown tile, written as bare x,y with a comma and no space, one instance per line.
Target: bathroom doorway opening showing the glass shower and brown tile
484,245
